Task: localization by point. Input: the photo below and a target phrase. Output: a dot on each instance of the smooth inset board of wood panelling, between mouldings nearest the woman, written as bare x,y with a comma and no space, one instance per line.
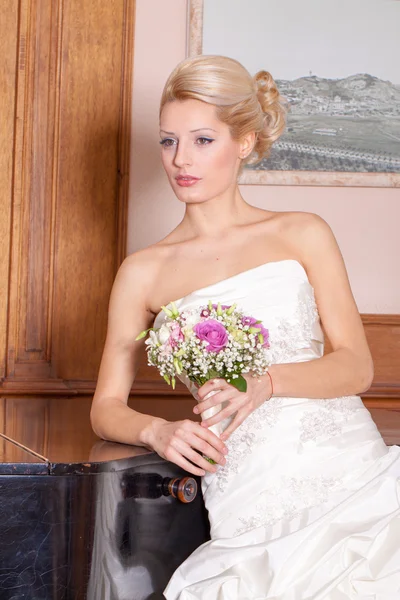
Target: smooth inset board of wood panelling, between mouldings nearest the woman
87,179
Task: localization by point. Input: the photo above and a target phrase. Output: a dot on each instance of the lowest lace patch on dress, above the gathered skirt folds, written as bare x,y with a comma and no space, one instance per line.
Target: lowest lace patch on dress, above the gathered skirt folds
288,499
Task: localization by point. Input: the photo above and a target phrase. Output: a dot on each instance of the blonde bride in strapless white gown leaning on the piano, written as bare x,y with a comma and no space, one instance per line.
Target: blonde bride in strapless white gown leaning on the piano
304,498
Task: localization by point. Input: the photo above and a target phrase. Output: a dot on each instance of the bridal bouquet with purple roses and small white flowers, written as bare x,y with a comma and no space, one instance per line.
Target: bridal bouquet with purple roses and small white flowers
205,342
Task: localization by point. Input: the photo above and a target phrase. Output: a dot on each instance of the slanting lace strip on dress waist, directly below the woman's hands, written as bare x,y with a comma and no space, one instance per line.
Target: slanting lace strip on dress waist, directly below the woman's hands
243,439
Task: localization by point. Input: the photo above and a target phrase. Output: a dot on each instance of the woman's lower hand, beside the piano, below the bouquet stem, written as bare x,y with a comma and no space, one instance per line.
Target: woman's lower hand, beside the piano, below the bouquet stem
184,441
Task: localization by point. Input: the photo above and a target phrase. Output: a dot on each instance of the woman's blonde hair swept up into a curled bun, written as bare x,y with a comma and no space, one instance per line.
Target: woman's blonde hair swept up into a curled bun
243,102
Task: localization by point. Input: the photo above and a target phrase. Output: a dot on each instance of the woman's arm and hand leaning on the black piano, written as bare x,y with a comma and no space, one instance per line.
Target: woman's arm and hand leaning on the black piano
111,417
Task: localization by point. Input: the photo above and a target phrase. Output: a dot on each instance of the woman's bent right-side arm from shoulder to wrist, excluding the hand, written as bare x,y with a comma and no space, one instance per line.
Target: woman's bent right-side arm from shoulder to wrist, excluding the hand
348,369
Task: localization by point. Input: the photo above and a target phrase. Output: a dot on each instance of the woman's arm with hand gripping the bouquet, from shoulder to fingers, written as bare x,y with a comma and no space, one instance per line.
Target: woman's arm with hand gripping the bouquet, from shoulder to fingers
347,370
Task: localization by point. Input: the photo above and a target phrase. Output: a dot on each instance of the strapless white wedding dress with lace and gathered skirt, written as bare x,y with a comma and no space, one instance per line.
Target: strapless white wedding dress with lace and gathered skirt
308,503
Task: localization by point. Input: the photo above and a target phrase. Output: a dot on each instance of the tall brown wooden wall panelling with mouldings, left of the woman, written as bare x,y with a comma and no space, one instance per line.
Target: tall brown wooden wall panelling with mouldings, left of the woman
69,142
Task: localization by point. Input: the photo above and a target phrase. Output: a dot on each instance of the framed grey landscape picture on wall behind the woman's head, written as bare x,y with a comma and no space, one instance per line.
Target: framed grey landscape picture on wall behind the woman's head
337,64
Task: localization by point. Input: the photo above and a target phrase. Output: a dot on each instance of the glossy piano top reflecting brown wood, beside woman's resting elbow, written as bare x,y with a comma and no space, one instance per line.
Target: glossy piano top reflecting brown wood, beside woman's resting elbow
55,435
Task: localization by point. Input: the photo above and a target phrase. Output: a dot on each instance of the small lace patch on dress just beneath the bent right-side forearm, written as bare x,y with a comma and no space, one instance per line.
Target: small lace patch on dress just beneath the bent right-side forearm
328,419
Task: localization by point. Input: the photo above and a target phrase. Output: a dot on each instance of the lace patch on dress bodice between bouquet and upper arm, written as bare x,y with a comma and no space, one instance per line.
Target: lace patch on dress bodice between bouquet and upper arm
296,332
